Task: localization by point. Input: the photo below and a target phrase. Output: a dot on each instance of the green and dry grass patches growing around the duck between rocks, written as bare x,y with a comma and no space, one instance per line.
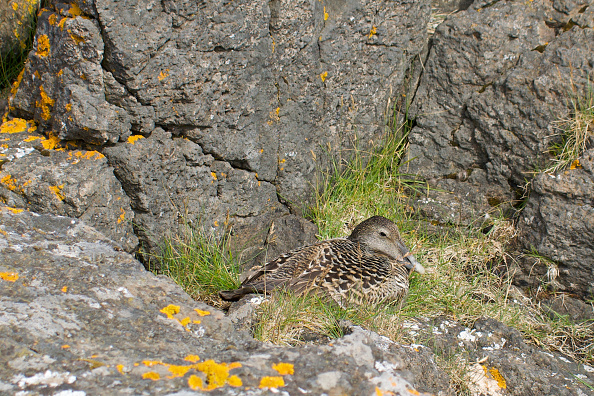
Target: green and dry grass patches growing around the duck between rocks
466,275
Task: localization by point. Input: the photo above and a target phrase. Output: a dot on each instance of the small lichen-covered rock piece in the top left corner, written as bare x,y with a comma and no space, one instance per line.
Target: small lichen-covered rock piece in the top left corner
16,18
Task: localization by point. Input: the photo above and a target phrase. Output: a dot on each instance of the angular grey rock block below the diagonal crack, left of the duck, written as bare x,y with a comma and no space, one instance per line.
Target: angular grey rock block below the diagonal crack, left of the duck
171,181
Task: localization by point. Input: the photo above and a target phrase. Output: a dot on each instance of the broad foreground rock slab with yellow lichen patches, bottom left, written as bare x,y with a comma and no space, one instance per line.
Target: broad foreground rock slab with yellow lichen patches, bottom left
62,285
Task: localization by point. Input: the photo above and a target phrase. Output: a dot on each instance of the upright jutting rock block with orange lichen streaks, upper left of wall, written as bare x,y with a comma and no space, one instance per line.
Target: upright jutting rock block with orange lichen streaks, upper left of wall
62,86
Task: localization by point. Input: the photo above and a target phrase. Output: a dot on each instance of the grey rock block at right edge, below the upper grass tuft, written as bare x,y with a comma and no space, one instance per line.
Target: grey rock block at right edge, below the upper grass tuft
558,223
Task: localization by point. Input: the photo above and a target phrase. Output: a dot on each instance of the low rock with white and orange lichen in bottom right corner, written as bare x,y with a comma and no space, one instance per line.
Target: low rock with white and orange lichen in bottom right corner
494,359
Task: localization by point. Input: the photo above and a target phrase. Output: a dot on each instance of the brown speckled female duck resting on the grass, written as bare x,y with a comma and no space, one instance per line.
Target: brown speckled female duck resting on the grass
371,266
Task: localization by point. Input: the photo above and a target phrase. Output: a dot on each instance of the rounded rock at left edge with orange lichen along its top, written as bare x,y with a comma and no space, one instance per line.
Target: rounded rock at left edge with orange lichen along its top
38,176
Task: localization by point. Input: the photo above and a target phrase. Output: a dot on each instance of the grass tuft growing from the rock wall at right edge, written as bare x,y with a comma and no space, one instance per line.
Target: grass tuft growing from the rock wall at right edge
576,132
